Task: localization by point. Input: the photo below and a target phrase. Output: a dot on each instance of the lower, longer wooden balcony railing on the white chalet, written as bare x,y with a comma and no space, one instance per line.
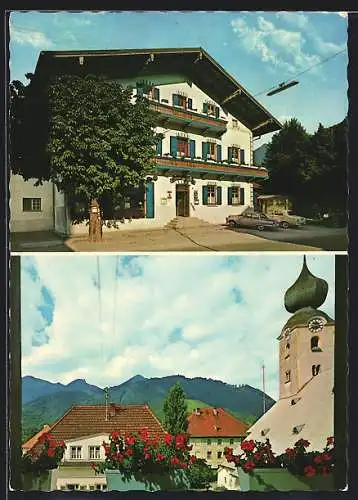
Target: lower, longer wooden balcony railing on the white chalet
221,167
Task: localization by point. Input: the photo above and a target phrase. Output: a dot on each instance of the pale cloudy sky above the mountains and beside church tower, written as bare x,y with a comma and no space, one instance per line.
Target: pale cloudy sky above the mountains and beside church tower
107,318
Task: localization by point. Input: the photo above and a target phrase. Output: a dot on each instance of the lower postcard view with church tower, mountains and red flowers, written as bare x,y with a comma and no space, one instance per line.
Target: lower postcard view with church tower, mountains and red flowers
177,372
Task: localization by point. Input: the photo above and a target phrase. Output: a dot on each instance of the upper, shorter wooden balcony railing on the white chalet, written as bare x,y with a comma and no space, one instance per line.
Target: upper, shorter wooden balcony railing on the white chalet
189,118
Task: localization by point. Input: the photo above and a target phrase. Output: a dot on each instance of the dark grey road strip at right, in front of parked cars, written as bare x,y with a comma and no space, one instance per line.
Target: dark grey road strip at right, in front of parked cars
327,238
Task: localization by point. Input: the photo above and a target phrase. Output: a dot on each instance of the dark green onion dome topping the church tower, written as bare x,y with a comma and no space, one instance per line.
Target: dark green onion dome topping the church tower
307,291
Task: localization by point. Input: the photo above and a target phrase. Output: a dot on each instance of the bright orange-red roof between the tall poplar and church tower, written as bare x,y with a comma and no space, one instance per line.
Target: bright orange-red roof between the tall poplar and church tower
211,422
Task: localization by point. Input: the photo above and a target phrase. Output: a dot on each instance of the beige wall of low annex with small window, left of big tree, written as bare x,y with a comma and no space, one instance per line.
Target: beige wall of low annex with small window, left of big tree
20,220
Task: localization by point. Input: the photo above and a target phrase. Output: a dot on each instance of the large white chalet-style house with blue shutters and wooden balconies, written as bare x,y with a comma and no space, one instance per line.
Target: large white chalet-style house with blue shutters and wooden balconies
204,165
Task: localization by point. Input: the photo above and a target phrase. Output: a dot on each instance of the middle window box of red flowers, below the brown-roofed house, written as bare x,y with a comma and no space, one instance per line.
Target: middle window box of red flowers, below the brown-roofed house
141,461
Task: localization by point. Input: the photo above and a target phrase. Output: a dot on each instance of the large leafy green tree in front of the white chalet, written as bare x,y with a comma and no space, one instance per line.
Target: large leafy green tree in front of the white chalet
92,142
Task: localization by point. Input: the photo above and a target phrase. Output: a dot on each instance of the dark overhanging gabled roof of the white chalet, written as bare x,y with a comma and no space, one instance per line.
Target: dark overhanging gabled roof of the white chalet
194,63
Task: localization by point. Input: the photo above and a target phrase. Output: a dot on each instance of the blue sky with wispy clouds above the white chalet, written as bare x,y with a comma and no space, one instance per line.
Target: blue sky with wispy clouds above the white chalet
259,48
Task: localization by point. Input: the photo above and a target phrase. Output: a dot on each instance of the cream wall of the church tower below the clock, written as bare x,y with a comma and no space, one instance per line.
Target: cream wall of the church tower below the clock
299,358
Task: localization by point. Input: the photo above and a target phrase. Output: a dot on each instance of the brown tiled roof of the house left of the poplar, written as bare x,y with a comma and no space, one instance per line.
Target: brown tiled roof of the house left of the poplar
87,420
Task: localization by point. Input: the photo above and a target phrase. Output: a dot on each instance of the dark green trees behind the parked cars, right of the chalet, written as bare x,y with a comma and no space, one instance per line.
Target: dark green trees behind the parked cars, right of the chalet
310,169
